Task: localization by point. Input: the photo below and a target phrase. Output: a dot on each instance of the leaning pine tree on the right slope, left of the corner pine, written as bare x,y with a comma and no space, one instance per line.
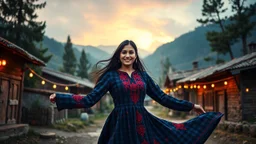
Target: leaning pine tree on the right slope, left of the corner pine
219,41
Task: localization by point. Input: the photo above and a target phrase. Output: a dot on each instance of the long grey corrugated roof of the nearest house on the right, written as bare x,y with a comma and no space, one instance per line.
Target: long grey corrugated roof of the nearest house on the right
247,60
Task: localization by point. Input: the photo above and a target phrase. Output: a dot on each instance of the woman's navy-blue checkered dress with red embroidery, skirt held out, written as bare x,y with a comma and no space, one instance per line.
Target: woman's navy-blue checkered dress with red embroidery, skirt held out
130,122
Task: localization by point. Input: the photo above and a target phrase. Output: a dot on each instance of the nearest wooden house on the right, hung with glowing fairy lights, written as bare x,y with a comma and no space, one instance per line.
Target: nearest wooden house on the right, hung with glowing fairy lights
228,88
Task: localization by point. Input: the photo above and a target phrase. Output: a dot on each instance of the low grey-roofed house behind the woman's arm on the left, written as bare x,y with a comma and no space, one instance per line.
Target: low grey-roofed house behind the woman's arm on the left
54,81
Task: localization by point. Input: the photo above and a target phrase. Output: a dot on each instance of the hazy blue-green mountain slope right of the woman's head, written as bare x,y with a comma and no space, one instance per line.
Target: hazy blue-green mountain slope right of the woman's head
189,47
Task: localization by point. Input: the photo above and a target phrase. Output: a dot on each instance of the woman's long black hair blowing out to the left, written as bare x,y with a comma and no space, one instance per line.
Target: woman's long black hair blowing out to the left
114,62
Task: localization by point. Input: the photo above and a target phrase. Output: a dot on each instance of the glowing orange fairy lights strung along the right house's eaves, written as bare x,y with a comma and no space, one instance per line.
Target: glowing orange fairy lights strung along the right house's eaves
203,85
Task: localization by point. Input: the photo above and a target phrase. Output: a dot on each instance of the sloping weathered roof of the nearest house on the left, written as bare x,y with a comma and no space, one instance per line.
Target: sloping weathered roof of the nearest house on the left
6,44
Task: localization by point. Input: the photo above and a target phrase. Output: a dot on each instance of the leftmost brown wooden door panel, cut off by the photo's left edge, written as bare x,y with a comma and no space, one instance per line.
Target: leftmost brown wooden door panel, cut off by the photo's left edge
4,94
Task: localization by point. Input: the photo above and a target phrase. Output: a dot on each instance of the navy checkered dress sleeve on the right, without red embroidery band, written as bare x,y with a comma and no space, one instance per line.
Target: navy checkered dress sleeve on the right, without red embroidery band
154,91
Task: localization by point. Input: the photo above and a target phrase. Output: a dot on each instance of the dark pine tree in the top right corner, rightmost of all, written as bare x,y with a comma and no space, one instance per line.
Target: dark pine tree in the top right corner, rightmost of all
241,27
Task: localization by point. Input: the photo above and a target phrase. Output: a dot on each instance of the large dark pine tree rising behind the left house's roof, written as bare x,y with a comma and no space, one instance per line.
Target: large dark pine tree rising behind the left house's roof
18,25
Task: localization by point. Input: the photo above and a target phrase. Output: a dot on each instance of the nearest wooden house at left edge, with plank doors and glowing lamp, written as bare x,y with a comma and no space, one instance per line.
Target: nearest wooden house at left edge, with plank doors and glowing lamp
12,68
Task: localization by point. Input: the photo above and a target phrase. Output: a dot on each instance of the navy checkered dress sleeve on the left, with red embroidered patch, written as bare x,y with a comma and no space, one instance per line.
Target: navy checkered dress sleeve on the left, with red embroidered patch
70,101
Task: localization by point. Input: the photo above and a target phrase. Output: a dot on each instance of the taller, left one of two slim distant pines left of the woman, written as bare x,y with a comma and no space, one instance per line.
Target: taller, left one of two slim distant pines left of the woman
69,59
